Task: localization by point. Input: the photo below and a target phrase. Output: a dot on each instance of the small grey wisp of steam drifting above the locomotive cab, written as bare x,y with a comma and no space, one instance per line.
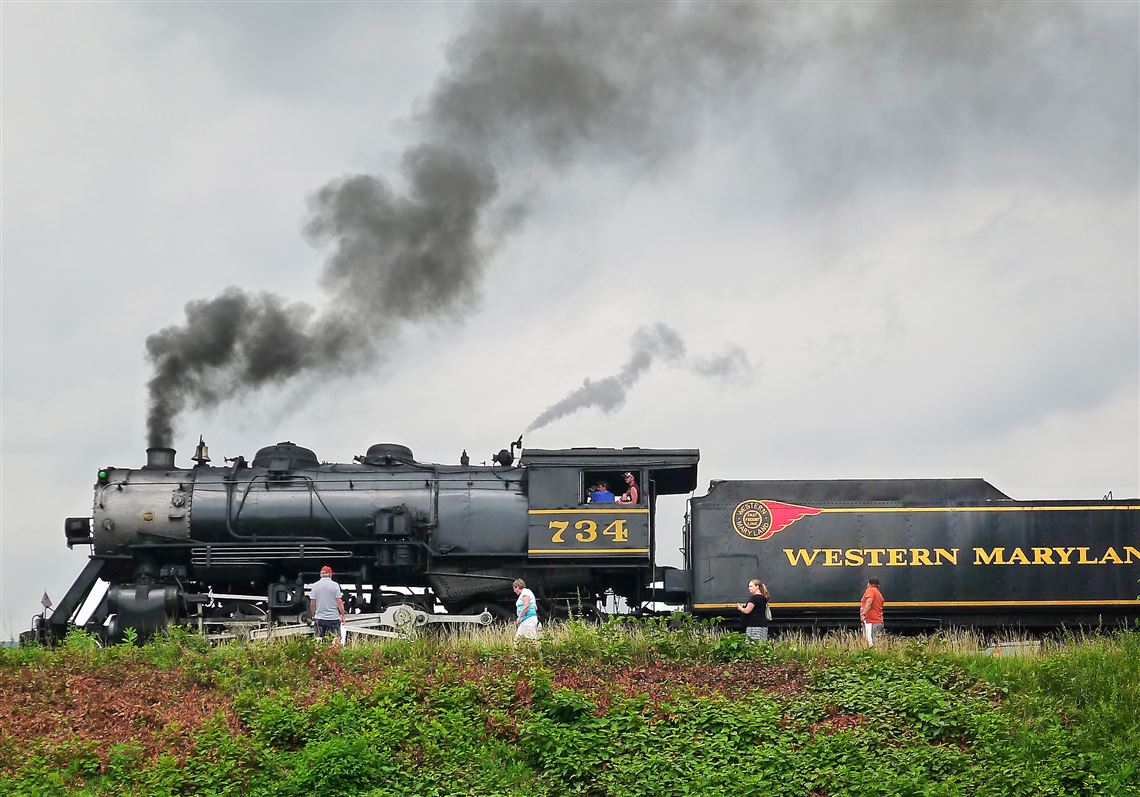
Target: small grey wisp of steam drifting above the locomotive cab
648,346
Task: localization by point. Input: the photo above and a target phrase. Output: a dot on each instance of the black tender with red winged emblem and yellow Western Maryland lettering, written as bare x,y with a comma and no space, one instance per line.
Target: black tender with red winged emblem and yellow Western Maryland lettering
949,552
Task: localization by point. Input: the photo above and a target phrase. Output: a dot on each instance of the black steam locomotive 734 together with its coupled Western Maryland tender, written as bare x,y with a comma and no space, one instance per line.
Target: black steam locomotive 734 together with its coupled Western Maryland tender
242,541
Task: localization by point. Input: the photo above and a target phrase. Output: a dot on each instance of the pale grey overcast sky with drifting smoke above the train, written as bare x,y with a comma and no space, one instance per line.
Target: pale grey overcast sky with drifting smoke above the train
918,224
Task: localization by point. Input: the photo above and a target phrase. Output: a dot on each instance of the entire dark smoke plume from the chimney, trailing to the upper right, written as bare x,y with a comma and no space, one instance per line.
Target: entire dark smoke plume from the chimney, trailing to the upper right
843,92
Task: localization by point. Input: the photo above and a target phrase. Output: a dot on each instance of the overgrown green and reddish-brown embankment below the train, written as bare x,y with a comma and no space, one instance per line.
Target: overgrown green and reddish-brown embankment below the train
612,711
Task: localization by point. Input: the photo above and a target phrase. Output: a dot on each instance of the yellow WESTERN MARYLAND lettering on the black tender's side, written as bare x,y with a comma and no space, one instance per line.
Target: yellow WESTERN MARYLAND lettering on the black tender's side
895,558
